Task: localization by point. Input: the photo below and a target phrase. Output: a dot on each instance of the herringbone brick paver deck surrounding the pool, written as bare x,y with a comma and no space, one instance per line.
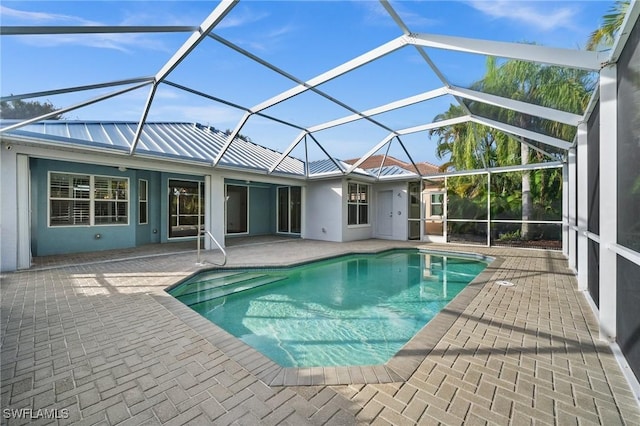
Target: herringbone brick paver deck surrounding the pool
96,335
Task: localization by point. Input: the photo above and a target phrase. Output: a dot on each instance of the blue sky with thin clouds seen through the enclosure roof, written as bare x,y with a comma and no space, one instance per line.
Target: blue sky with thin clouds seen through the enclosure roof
304,38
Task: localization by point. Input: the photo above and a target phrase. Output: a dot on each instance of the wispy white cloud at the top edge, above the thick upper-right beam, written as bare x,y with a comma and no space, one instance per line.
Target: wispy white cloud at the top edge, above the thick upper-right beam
547,20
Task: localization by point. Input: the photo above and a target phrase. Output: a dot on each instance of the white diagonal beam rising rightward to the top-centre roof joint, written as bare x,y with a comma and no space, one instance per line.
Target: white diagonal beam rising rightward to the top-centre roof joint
344,68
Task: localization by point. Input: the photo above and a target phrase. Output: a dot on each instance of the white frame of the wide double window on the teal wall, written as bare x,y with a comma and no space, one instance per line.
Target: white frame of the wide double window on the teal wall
92,199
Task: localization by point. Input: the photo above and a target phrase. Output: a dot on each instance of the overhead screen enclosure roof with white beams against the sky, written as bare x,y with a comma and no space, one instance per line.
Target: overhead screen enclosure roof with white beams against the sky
313,80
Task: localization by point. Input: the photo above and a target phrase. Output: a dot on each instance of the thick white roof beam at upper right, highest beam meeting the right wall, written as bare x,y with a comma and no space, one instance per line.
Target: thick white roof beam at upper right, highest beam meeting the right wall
581,59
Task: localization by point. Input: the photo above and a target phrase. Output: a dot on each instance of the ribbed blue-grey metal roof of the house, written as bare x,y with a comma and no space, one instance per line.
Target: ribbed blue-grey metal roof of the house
186,141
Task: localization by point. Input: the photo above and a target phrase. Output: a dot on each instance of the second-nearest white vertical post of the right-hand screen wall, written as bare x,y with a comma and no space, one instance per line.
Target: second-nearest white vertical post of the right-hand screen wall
582,209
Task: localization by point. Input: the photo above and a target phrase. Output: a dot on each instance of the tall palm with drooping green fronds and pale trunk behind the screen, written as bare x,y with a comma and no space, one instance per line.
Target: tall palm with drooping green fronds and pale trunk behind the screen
472,146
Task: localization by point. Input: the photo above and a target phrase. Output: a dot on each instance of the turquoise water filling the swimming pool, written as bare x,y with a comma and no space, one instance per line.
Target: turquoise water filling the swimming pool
351,310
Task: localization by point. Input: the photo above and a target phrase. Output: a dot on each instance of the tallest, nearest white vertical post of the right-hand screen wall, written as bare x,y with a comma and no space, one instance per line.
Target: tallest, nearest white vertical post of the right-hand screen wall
608,201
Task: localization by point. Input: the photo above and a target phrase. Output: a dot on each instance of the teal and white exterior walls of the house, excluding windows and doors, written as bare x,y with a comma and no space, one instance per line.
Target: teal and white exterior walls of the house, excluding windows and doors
324,206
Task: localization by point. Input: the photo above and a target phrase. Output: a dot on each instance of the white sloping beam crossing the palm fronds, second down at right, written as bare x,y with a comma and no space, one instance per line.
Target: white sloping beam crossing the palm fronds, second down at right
519,106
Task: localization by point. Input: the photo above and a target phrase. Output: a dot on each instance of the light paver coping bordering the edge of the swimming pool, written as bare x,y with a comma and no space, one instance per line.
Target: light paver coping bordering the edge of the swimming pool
398,369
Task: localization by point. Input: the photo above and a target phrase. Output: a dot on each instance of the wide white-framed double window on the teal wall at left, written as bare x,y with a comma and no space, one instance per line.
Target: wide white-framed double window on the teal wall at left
86,200
